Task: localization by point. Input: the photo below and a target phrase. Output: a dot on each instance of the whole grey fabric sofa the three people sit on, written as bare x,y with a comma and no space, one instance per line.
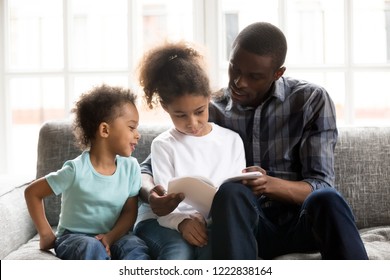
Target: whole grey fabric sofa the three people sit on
362,165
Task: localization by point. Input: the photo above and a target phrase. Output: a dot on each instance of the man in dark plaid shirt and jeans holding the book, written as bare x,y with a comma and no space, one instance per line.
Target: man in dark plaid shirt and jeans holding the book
289,130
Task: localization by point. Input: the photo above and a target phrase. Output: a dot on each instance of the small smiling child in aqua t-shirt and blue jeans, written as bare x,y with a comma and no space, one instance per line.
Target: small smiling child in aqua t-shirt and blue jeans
100,187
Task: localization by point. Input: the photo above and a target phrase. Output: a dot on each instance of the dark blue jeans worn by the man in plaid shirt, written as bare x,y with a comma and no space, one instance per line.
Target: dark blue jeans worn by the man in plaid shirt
245,227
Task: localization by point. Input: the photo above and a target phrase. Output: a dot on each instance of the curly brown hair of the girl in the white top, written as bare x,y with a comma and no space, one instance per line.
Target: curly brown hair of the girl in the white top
172,70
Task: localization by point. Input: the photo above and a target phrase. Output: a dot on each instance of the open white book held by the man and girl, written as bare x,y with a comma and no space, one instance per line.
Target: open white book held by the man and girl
199,191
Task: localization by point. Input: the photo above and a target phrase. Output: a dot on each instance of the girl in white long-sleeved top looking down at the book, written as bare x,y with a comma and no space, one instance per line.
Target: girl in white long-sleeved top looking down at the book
173,75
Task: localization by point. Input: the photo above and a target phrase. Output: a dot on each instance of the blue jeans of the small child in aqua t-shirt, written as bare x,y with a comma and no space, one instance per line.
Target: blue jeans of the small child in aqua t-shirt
80,246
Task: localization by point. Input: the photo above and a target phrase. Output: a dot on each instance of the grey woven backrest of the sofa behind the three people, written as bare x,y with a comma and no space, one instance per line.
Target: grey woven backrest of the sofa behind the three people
362,166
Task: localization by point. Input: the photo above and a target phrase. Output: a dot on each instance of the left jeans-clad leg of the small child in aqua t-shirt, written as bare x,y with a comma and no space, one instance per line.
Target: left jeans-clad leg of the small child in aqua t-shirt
75,246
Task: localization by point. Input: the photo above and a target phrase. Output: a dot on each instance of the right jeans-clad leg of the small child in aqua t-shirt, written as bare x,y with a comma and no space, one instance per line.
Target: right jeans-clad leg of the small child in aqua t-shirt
129,247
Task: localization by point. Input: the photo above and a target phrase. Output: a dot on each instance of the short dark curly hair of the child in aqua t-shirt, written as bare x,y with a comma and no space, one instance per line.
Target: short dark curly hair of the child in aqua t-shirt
100,104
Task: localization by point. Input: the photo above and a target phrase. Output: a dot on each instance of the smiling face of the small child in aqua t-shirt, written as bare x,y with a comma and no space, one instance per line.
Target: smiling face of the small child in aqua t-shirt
123,131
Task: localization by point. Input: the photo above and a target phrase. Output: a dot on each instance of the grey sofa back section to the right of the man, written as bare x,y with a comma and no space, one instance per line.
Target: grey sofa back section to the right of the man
362,159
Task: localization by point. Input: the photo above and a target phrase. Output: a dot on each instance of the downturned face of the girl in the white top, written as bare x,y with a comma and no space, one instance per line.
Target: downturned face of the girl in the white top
190,114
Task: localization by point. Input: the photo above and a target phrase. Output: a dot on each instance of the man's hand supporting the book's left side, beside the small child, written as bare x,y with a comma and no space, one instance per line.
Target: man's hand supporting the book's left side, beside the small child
162,203
